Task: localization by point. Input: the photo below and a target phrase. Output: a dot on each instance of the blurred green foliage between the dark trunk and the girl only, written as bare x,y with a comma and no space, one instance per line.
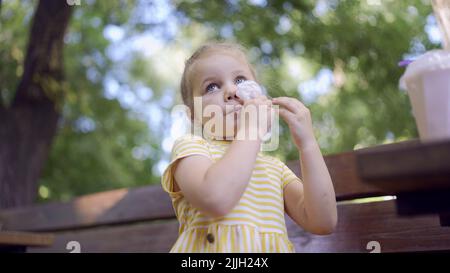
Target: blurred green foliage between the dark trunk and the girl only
101,144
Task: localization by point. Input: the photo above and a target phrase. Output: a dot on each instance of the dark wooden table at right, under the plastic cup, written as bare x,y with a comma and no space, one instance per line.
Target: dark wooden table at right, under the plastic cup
417,173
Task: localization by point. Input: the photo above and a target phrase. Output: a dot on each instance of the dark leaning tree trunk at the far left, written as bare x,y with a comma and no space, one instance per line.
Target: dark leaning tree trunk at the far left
29,124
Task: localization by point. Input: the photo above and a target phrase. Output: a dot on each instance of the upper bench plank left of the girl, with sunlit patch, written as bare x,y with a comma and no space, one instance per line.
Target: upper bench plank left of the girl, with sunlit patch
112,207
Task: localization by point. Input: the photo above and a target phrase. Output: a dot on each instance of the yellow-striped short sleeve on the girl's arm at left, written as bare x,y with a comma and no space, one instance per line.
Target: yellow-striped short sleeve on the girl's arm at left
183,147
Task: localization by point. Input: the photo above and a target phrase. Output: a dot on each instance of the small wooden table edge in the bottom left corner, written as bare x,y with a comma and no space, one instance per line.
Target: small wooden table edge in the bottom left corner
15,241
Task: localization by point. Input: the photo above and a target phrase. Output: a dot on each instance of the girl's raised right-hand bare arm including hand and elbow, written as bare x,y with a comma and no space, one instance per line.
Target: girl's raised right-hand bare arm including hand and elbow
312,204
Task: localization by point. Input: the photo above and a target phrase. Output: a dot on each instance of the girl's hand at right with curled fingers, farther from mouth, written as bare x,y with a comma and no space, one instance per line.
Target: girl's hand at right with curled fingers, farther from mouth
298,118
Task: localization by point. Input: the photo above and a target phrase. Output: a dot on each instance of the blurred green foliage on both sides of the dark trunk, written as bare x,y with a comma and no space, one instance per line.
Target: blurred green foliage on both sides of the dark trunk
100,143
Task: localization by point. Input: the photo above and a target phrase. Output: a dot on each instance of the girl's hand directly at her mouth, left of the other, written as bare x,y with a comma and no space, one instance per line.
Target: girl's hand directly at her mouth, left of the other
255,118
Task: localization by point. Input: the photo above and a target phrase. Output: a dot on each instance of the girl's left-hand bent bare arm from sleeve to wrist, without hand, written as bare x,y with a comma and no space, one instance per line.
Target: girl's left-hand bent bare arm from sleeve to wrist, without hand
215,188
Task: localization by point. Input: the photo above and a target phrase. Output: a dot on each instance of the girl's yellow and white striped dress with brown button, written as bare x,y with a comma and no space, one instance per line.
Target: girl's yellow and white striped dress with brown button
256,223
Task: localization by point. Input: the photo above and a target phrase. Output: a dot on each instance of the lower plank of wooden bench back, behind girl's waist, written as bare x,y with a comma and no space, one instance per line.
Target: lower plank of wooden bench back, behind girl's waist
358,225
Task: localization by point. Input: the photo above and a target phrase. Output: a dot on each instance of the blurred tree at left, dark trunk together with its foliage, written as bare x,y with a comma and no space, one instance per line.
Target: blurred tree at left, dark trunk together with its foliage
99,144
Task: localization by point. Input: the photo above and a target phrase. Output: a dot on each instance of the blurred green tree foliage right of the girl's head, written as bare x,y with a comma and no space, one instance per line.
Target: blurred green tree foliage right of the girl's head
360,42
